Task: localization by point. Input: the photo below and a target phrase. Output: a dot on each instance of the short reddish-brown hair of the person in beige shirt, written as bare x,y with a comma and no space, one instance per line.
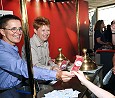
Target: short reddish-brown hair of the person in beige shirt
40,21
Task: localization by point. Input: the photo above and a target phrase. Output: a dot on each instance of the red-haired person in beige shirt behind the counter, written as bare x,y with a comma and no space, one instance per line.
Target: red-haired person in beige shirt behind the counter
40,46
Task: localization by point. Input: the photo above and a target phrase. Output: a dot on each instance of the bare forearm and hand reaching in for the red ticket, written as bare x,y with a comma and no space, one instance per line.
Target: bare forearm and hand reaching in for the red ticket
99,92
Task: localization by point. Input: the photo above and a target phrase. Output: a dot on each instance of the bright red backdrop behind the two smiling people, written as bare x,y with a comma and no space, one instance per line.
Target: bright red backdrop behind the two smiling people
63,24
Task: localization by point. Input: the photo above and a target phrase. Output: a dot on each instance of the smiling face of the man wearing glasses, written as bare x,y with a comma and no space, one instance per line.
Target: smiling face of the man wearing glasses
12,33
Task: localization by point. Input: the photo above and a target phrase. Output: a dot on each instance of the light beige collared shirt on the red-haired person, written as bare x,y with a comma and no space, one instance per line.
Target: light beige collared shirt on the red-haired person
40,53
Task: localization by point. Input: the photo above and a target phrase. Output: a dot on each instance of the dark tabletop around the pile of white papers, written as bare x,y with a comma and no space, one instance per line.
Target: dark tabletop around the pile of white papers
74,83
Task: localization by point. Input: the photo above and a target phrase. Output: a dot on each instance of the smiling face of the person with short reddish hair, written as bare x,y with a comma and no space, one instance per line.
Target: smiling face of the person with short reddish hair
43,32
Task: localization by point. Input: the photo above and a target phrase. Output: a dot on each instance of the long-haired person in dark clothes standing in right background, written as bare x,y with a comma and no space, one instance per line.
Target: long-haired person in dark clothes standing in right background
99,38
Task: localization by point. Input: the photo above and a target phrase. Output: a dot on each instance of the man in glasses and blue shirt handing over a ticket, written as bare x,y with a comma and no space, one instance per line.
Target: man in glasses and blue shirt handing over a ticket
11,62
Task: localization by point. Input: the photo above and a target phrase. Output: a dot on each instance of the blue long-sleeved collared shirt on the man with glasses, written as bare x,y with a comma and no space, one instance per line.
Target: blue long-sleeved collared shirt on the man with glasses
10,60
